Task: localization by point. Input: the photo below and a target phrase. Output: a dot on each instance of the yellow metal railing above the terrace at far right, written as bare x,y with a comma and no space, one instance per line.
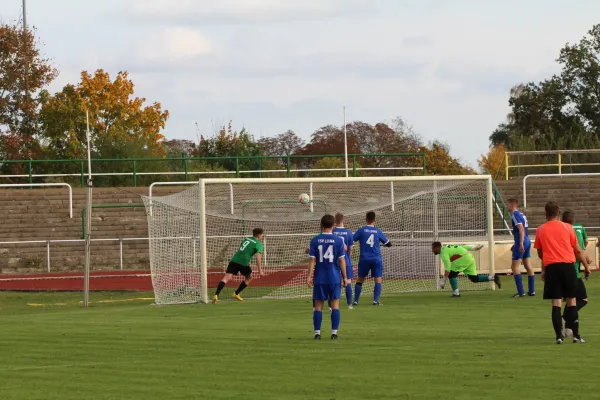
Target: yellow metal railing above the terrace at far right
561,159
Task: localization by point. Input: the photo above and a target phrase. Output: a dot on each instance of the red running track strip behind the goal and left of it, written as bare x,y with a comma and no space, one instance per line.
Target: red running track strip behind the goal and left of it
123,280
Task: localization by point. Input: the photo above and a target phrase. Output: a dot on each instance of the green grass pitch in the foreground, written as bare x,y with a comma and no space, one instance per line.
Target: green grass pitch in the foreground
417,346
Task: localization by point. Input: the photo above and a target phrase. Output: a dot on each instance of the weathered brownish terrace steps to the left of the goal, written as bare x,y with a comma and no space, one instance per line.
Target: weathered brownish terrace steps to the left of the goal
43,214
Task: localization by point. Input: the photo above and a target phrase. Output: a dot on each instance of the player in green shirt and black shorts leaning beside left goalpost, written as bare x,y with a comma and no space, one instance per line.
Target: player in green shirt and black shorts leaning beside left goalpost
240,264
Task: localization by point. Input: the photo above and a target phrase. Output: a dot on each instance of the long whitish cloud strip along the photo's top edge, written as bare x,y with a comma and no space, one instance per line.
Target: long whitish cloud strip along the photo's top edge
244,11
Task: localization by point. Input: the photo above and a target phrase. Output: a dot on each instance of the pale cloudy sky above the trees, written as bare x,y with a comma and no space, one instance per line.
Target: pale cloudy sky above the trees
446,67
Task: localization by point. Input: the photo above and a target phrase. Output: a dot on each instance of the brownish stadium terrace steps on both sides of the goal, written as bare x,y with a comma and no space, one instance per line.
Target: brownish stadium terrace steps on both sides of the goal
42,214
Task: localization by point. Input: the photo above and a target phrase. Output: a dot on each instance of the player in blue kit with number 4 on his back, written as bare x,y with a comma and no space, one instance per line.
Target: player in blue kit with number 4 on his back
370,259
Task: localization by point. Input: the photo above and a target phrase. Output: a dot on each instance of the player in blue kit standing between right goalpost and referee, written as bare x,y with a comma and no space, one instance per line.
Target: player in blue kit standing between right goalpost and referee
521,250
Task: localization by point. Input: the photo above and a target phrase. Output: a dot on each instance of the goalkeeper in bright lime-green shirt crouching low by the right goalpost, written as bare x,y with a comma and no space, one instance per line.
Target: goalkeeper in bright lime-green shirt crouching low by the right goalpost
456,260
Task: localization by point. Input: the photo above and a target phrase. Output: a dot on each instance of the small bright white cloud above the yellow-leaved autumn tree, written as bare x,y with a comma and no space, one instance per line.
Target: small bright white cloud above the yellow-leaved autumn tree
175,45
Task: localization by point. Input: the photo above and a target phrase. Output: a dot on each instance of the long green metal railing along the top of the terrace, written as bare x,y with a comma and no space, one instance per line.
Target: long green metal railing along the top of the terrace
186,166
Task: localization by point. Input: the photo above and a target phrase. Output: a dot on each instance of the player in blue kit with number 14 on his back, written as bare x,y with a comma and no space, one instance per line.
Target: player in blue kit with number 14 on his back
328,262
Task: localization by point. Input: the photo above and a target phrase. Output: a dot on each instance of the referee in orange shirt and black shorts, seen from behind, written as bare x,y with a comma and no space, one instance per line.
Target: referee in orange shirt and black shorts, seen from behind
557,246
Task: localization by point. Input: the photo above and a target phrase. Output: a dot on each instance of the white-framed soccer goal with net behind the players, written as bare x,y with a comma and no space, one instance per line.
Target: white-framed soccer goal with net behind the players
194,233
